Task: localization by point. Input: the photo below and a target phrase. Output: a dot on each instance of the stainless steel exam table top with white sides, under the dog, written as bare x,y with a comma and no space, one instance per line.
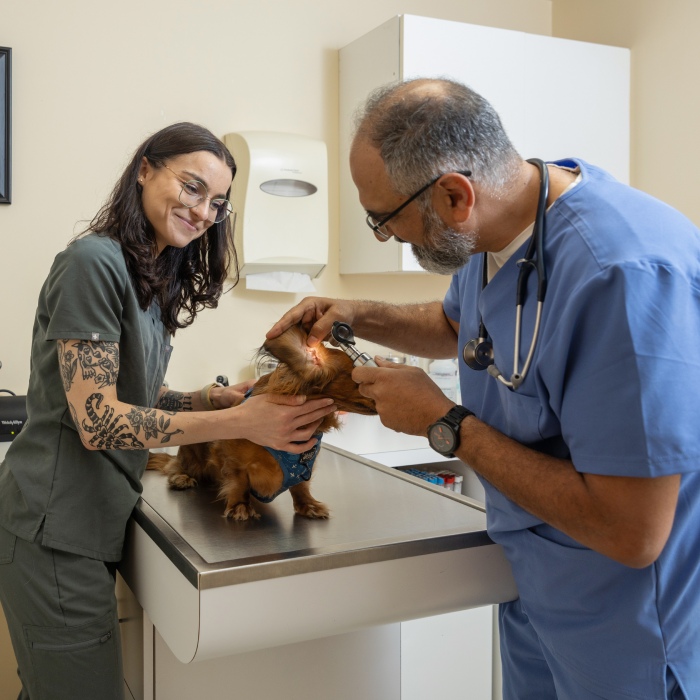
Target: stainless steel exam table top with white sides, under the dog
392,550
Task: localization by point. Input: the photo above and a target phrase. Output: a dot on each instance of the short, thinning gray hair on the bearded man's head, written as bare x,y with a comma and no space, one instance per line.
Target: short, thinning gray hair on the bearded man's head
426,127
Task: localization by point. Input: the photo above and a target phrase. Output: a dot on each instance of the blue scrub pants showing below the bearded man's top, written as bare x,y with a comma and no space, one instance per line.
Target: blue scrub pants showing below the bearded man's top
532,672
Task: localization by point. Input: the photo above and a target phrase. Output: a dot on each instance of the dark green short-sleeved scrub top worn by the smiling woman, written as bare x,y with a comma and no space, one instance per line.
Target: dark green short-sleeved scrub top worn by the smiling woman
82,498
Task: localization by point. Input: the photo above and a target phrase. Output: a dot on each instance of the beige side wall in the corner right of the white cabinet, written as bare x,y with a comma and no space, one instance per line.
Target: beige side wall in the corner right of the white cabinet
665,97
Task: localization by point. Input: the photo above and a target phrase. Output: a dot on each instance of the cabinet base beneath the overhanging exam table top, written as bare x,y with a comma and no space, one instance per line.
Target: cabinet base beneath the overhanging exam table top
447,656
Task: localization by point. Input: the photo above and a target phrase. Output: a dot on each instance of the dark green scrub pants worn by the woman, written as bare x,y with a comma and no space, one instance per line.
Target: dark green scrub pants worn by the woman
61,611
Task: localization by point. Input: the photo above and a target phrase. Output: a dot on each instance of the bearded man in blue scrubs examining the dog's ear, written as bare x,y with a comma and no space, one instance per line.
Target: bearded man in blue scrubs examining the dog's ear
591,465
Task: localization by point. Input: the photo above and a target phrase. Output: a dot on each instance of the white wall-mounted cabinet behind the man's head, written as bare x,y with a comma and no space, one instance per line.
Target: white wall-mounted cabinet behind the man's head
557,98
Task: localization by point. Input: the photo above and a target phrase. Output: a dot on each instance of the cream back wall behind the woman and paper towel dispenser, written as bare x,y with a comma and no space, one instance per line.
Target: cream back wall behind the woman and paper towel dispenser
91,81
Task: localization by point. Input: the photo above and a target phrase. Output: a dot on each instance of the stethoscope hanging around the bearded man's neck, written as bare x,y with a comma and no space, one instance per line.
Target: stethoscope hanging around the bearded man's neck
478,352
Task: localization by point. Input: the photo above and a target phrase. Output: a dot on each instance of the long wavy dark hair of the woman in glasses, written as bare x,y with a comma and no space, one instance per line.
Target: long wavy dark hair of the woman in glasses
185,279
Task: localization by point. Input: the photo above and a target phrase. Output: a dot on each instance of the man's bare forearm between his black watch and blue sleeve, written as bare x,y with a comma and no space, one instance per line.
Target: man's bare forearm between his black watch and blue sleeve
628,519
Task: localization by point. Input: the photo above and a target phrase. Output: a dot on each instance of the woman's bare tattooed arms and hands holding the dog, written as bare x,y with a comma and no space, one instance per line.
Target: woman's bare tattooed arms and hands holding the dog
89,371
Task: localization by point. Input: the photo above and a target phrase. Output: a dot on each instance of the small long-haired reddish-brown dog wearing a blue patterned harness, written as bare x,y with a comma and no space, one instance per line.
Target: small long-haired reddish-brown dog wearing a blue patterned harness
244,470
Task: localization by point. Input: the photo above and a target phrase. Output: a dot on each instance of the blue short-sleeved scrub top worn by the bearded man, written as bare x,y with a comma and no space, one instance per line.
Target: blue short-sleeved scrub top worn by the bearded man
614,387
